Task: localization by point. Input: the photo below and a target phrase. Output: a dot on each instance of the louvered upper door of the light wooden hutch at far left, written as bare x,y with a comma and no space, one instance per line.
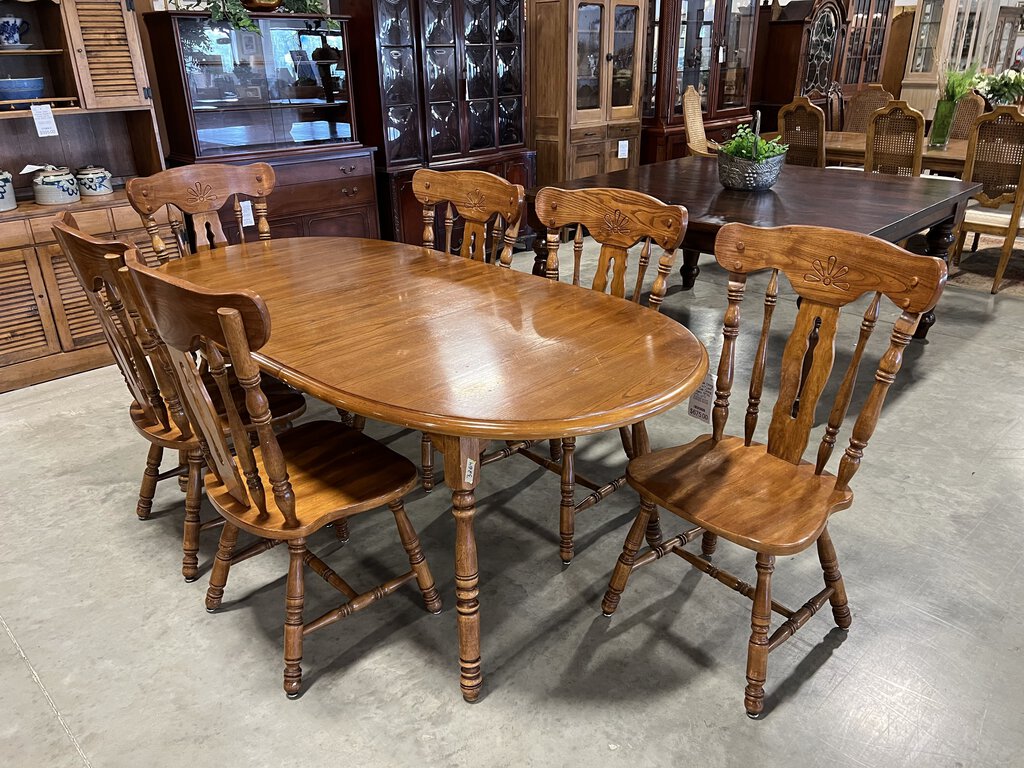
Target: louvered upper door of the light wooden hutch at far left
108,56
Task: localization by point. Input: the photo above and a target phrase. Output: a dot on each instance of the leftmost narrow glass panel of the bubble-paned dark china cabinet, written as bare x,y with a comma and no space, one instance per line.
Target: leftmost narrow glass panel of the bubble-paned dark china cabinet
399,76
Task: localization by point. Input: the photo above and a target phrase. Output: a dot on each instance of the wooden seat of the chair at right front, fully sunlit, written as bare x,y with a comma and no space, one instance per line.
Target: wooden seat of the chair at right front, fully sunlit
743,494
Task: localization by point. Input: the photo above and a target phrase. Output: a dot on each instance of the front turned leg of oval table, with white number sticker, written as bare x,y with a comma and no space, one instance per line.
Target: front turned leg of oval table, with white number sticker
462,471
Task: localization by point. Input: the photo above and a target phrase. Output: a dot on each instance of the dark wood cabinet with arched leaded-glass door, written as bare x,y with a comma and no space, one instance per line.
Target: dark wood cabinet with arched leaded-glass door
799,52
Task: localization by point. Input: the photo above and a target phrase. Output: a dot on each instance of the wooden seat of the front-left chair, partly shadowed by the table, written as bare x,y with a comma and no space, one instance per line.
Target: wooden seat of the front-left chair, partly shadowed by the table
335,473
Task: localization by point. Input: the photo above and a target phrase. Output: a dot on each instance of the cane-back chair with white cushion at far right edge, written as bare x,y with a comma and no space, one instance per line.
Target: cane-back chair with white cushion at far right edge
996,159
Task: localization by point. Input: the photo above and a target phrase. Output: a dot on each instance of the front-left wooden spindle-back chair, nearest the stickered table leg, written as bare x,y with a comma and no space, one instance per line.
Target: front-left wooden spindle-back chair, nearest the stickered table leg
317,474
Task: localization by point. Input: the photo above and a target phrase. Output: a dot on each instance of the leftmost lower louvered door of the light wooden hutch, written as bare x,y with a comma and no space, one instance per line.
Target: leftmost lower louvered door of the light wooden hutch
27,328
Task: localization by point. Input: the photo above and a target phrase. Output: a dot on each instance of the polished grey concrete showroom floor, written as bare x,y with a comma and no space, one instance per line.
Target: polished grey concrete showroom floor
109,659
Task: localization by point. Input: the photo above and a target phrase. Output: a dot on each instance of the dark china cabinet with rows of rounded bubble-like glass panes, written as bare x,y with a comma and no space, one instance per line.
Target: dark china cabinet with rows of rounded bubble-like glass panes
441,84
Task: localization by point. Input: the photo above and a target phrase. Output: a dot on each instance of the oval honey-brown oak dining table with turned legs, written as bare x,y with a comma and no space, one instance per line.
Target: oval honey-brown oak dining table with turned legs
465,352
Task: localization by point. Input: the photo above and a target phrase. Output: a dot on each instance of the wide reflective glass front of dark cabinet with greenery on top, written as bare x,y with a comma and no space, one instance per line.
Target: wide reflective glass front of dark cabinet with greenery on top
250,93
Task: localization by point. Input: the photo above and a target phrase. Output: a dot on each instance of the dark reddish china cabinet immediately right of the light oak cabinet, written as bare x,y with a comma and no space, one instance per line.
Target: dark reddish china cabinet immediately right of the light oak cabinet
705,44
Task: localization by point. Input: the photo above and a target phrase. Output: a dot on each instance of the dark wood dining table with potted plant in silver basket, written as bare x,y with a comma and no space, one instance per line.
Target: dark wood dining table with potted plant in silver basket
889,207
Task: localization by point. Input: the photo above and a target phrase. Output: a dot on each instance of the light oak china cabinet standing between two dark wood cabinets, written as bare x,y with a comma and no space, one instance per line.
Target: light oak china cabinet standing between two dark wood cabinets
585,86
